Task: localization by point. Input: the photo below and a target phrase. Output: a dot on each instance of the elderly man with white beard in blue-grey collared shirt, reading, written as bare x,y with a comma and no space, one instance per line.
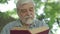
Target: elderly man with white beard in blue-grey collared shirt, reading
25,10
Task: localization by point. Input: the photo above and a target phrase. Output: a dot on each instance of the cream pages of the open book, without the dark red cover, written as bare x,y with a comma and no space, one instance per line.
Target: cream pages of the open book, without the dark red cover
34,30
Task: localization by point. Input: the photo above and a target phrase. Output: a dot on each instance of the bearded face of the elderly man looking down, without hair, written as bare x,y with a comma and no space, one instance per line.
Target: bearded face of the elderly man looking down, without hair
26,13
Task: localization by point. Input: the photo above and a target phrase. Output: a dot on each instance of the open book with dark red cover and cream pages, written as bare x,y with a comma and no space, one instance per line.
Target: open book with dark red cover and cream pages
20,30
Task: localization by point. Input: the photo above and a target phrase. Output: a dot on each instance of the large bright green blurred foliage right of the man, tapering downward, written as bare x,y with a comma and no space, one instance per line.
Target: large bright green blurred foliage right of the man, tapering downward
51,11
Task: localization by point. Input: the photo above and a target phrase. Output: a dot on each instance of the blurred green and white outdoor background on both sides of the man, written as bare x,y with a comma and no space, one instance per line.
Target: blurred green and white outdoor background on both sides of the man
47,10
